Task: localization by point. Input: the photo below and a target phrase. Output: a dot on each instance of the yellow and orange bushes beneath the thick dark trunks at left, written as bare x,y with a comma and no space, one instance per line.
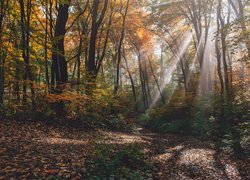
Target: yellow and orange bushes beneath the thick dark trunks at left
101,110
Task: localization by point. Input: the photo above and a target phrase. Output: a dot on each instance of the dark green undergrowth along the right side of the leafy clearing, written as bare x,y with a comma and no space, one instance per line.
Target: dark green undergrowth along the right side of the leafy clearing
226,124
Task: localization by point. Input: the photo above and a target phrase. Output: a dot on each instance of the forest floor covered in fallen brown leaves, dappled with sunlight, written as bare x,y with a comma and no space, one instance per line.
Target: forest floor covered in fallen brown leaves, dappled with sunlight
34,150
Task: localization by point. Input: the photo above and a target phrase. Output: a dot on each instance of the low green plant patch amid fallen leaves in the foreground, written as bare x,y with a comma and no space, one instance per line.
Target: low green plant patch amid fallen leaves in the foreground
117,162
